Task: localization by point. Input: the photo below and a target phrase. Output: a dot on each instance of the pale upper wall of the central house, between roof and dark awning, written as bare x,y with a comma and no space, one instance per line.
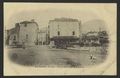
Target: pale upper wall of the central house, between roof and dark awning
66,28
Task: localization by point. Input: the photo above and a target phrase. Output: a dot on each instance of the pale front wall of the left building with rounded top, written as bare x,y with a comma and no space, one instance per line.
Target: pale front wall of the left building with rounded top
28,33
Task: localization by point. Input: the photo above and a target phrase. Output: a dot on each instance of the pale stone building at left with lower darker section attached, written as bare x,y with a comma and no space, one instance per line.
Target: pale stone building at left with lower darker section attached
24,33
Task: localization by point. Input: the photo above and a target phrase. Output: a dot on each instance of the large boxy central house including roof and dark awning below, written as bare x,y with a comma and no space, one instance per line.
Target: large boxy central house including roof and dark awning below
63,31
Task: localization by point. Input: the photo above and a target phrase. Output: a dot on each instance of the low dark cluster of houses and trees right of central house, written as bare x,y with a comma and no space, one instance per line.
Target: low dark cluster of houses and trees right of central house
99,38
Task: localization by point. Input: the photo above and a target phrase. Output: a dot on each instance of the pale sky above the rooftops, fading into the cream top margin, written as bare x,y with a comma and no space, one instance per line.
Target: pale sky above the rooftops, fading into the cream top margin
43,12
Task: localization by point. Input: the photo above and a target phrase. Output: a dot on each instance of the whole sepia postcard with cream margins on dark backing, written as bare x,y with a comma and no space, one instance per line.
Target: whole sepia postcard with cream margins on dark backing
60,39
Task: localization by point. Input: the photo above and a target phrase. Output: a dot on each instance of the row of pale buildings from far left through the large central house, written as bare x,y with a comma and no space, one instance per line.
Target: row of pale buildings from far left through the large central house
61,32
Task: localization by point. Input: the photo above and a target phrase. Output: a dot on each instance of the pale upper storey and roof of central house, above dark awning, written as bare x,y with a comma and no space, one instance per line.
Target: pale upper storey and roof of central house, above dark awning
64,27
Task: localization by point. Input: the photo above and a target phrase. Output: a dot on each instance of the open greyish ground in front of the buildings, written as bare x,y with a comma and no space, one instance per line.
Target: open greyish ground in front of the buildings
43,56
